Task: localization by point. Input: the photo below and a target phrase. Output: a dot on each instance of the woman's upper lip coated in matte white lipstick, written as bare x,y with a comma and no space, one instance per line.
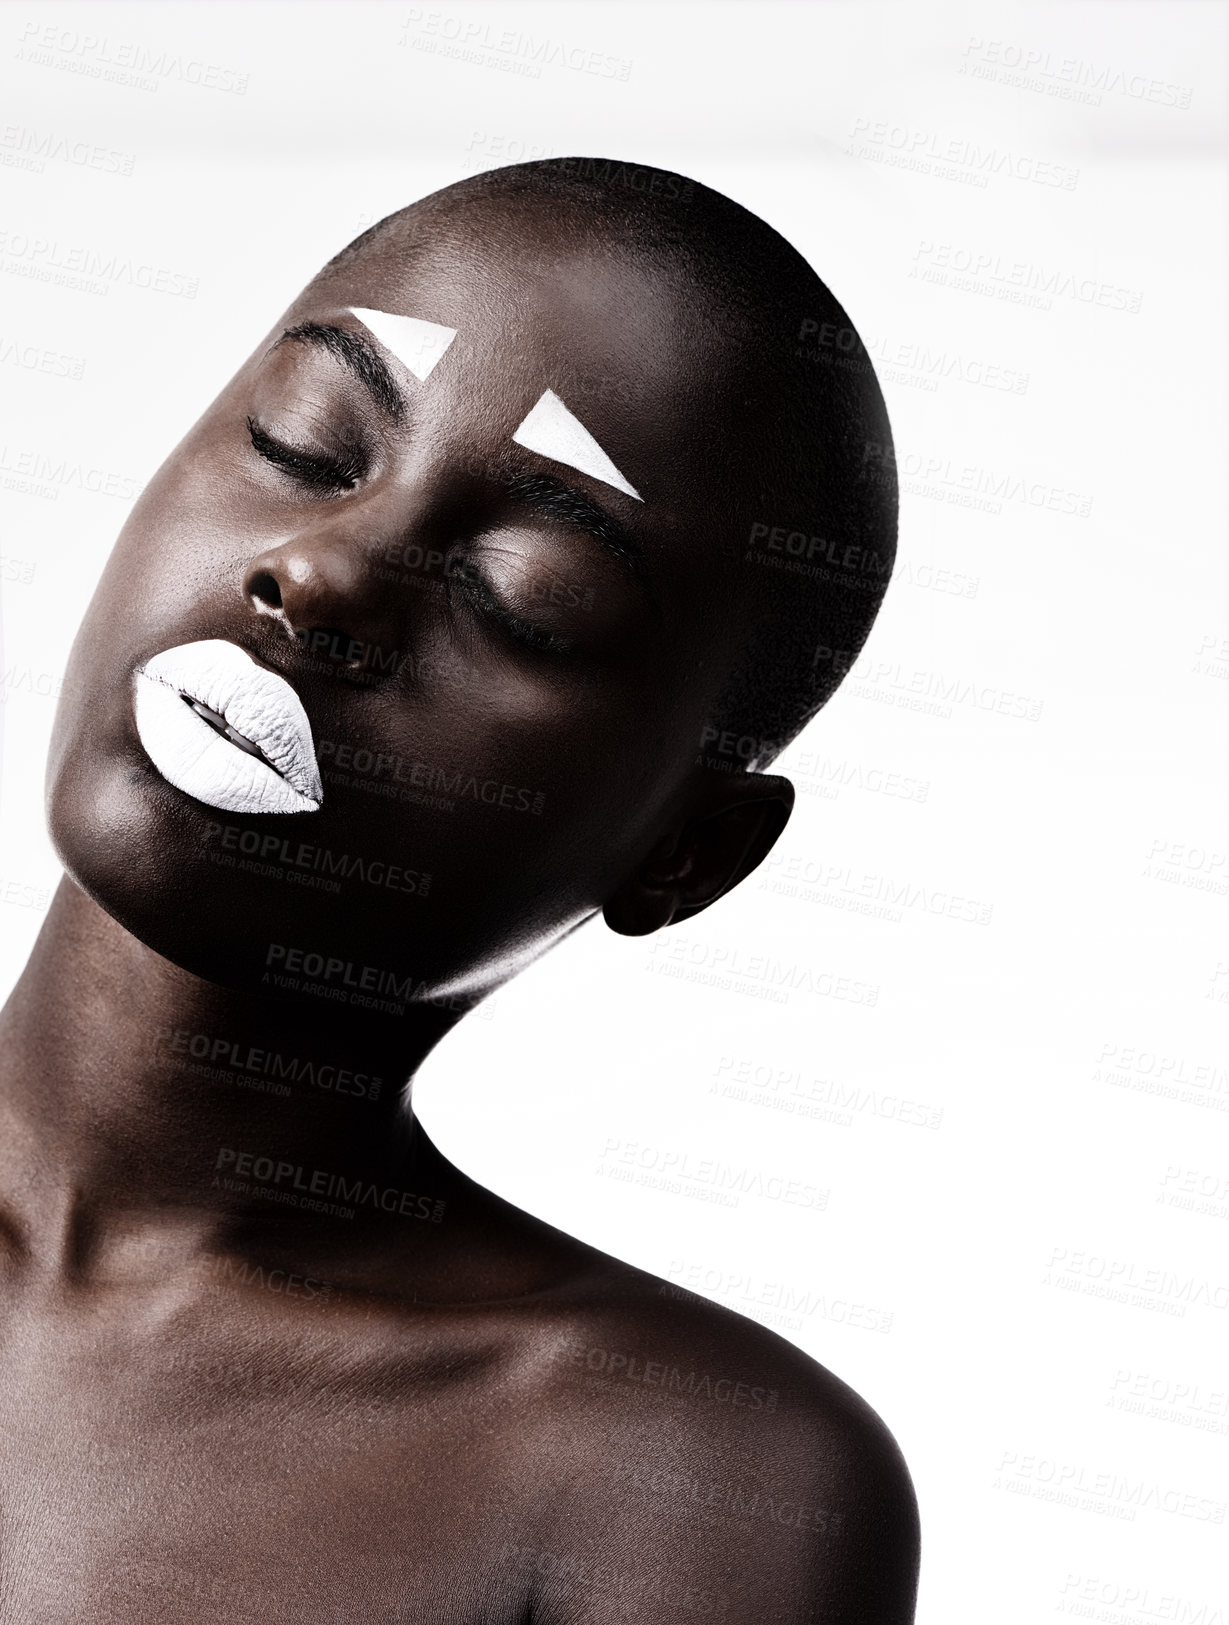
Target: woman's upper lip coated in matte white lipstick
256,703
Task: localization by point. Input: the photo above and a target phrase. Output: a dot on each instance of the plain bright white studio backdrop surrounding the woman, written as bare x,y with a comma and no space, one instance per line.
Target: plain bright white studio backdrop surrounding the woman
975,1008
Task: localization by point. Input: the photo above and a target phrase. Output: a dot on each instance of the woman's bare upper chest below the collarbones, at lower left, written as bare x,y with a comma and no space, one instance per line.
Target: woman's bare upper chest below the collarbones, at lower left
274,1486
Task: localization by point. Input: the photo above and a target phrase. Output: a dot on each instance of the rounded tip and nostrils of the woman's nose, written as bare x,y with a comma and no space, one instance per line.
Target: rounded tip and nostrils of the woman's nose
324,589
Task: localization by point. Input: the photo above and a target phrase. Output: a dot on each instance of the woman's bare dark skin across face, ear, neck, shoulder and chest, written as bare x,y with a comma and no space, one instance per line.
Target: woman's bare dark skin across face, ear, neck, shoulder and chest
219,1405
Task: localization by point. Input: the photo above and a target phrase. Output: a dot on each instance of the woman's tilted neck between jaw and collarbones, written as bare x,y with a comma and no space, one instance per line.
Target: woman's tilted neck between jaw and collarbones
137,1098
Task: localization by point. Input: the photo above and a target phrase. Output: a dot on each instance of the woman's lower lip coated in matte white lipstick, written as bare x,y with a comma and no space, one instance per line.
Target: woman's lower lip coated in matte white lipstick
201,761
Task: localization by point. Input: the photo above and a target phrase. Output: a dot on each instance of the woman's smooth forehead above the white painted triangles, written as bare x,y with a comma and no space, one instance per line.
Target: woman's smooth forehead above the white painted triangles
630,347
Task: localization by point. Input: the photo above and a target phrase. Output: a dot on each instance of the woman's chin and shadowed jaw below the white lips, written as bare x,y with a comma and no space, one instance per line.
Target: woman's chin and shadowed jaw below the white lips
150,859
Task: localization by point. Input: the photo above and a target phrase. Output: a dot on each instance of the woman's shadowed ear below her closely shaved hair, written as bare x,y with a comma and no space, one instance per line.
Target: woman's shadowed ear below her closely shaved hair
706,854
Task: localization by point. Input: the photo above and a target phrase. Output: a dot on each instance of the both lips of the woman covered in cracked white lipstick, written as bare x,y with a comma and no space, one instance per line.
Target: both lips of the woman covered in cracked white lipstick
253,755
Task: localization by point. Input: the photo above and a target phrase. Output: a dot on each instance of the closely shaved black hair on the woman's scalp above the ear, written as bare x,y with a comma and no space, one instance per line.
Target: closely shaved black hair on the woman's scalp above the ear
807,529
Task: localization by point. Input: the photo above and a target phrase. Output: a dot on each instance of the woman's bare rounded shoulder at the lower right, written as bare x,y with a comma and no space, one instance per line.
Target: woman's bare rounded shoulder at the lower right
711,1467
